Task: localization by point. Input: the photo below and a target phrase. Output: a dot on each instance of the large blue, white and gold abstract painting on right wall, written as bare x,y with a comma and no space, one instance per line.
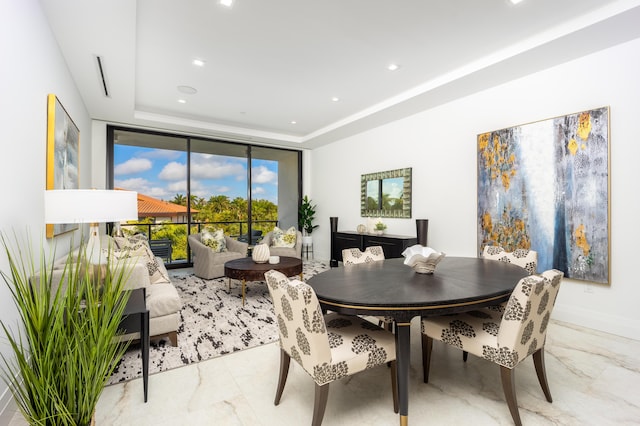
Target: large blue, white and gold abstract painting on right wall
544,186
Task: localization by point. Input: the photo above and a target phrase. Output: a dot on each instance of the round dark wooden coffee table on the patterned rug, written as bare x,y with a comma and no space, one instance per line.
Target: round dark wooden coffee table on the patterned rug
246,269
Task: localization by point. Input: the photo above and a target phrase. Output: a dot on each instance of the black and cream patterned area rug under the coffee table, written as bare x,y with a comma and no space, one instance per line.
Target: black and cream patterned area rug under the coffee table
213,323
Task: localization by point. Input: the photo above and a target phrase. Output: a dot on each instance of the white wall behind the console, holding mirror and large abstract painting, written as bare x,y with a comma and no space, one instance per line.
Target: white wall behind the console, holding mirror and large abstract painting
440,146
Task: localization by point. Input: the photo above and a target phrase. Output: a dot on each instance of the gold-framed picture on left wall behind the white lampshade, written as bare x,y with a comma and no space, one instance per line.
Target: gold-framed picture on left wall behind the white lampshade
63,142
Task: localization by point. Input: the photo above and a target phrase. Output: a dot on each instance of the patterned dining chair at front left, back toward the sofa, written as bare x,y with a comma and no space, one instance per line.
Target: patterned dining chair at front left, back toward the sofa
327,347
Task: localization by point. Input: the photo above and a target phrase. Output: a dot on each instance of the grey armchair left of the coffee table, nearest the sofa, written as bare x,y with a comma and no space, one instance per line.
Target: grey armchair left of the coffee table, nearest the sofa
208,264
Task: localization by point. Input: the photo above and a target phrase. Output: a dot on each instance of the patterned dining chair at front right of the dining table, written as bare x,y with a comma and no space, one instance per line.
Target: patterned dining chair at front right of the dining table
505,339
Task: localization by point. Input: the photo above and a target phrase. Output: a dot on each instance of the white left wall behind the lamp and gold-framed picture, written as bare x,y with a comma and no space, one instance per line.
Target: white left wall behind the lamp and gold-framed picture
32,66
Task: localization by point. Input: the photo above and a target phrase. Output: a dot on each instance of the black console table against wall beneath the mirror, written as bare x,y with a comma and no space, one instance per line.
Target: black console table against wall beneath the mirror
392,245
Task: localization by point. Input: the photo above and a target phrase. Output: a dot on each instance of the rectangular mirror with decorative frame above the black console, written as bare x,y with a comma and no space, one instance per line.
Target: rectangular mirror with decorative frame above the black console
386,194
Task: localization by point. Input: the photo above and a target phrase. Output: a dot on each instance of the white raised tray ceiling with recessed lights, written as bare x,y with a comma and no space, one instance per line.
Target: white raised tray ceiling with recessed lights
268,64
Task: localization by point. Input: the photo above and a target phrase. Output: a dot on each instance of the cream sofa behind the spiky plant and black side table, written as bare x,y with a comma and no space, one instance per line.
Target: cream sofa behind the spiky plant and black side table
163,300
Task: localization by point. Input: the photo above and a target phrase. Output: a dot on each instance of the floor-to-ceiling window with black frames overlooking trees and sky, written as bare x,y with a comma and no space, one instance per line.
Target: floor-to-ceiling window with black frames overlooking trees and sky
187,183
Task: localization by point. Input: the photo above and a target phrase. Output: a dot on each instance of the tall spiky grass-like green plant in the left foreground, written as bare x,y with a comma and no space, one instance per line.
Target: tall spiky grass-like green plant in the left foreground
64,350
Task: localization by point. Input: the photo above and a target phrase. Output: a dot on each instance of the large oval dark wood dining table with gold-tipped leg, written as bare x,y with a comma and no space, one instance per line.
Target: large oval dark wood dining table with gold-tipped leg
391,288
